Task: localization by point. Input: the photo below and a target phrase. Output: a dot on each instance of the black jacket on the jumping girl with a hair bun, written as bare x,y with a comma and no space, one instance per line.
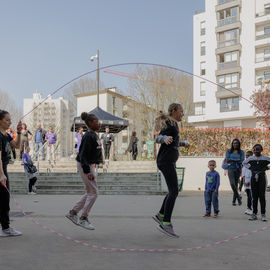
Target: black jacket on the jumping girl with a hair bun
90,151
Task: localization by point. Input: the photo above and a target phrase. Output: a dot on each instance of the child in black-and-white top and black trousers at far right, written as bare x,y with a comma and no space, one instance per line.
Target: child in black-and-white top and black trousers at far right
258,164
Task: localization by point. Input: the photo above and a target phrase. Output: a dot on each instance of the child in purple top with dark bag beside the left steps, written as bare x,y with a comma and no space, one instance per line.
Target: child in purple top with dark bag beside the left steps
30,171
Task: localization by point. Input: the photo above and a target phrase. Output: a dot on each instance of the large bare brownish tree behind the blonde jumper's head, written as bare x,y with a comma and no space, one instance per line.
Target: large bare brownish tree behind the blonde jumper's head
155,88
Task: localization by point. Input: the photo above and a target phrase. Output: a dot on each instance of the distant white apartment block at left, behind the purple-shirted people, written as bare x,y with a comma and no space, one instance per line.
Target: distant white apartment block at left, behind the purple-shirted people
52,112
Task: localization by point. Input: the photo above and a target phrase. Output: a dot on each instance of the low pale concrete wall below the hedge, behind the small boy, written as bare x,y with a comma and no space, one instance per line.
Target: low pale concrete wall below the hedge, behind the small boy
195,170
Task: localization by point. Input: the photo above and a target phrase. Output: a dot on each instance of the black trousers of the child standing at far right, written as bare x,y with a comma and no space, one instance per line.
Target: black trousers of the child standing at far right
258,193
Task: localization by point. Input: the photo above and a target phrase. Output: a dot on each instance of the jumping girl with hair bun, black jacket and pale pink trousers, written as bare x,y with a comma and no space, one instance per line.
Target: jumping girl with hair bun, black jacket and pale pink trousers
90,154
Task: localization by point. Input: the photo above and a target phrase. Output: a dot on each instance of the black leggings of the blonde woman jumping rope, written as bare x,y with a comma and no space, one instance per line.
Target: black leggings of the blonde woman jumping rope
170,175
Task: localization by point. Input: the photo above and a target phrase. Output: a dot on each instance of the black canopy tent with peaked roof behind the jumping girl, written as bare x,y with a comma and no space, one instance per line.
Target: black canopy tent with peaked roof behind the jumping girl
115,124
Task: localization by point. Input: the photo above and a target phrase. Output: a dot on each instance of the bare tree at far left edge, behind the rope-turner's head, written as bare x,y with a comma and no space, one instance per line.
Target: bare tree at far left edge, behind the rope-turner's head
8,104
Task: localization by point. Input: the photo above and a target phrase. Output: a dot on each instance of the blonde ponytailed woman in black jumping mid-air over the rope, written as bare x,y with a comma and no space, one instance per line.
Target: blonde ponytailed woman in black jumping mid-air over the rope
166,161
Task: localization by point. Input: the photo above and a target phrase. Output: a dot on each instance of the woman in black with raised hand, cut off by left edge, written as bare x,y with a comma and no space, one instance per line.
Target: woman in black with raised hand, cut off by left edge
5,142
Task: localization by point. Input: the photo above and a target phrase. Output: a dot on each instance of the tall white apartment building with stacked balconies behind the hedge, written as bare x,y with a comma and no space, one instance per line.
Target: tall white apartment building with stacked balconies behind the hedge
232,49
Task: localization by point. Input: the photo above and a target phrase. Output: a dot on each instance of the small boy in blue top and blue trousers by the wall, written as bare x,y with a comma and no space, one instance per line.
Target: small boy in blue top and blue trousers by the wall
211,189
